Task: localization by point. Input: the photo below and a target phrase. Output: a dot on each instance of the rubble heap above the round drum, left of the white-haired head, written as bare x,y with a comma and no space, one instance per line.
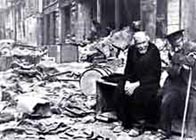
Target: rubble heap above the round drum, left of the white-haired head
106,47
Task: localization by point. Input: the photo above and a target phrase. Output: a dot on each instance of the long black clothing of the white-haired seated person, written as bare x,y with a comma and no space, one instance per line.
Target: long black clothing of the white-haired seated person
145,68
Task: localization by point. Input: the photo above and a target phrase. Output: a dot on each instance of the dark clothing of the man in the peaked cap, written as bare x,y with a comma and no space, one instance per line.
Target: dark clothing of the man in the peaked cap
175,88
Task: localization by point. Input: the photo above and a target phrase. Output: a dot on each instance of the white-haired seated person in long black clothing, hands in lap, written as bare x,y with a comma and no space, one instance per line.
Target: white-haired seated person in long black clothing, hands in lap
135,96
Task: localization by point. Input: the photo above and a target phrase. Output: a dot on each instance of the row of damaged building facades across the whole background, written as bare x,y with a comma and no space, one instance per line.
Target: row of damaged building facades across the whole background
53,23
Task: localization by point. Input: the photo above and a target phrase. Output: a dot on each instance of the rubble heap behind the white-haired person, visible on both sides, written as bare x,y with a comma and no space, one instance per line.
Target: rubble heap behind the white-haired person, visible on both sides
112,49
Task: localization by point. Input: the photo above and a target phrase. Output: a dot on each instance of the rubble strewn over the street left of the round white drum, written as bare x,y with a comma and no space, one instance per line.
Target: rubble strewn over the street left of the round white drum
43,101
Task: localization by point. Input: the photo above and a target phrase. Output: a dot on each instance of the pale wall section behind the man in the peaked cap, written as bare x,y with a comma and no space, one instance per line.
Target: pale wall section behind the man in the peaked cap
182,16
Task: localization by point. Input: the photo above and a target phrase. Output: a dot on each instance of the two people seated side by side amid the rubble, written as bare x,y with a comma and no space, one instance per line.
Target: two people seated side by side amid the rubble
139,99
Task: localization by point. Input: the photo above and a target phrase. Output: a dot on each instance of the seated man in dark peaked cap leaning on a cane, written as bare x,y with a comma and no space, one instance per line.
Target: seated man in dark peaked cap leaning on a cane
182,58
